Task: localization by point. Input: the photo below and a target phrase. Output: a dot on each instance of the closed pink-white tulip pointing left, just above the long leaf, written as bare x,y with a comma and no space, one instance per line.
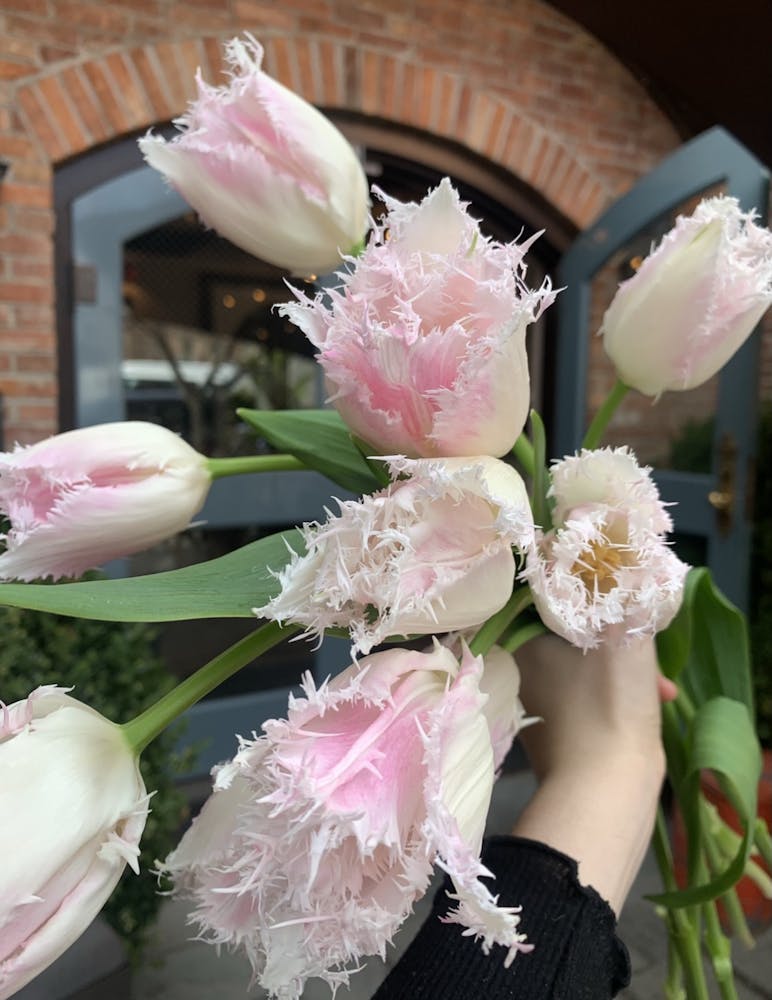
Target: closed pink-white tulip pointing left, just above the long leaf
81,498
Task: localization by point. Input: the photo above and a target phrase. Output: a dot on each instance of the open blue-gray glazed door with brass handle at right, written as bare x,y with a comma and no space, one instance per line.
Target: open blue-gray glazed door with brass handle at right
701,443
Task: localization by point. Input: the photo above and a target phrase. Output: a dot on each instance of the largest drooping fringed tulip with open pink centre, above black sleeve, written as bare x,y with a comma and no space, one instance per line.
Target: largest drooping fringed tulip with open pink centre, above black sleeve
321,834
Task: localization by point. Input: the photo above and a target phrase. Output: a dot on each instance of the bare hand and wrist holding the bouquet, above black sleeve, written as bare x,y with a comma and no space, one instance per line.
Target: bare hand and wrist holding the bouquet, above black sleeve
597,754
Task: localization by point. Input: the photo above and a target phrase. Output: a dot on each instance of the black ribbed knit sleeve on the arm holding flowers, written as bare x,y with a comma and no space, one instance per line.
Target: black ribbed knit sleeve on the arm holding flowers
576,955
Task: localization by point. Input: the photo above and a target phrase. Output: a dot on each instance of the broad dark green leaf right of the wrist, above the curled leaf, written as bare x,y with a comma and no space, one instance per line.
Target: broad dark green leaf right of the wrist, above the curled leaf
706,646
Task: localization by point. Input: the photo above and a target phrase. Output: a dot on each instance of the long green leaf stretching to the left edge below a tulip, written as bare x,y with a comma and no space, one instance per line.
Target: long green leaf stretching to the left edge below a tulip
227,587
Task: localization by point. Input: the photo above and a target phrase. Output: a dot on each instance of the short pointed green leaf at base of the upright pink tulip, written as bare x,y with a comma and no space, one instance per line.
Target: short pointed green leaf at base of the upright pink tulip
320,439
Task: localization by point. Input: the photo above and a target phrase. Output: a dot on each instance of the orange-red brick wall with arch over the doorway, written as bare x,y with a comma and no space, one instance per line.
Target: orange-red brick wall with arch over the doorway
512,80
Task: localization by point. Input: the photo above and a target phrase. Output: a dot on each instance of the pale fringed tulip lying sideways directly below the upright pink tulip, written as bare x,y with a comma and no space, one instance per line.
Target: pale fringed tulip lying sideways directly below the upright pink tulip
431,553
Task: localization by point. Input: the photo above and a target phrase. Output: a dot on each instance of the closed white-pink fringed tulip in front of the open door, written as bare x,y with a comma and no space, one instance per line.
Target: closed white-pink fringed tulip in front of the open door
693,302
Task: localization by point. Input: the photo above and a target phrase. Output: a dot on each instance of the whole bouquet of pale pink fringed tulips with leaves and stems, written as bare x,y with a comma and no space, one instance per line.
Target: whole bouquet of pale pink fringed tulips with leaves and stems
322,832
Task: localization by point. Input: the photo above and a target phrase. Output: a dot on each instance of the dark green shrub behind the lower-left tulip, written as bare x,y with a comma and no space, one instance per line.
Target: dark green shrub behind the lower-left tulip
114,669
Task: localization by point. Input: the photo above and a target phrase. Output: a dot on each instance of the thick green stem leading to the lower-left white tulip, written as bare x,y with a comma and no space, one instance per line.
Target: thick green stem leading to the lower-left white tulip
143,729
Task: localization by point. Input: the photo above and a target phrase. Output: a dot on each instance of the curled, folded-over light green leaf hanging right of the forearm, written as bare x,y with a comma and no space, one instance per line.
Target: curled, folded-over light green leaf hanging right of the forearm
721,739
